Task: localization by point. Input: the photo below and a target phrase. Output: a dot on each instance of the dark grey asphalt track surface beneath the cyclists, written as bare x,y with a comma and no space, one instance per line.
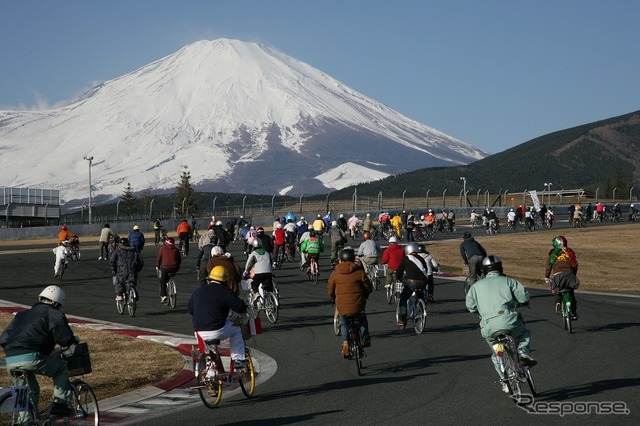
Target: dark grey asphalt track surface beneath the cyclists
444,376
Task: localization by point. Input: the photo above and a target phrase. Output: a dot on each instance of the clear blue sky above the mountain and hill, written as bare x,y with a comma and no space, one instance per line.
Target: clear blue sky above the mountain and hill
492,73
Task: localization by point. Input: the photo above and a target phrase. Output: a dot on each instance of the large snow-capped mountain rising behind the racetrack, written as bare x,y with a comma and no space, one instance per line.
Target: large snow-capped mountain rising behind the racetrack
243,117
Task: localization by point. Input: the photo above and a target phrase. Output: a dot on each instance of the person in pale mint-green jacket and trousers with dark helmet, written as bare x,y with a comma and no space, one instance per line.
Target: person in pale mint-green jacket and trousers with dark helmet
495,298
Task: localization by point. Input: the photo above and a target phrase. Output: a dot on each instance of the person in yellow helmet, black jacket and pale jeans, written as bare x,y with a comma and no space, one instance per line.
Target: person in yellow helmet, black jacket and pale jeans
210,305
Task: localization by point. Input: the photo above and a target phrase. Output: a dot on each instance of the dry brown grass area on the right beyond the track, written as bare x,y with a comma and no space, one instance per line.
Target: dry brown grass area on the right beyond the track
607,255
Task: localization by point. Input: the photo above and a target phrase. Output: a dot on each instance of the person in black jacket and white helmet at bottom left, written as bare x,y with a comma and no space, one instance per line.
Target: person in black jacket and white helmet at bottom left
29,340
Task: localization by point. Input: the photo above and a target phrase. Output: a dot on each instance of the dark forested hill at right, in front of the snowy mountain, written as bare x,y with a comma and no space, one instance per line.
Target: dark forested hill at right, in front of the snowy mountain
604,154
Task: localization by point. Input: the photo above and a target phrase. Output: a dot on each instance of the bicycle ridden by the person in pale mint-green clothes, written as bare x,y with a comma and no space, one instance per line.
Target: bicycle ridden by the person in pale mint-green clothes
511,368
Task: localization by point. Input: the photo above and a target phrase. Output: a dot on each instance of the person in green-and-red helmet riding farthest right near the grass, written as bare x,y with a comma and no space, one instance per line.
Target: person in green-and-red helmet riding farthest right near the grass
560,273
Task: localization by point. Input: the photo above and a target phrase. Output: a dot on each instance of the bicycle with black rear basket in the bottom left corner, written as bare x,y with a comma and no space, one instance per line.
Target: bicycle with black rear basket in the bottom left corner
17,405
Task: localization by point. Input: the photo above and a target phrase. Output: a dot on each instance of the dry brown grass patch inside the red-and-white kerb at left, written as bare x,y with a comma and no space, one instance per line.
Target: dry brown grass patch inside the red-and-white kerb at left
120,363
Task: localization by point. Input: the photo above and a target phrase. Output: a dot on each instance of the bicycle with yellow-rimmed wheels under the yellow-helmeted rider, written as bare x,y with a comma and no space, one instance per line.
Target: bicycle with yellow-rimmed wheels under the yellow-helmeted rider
211,376
